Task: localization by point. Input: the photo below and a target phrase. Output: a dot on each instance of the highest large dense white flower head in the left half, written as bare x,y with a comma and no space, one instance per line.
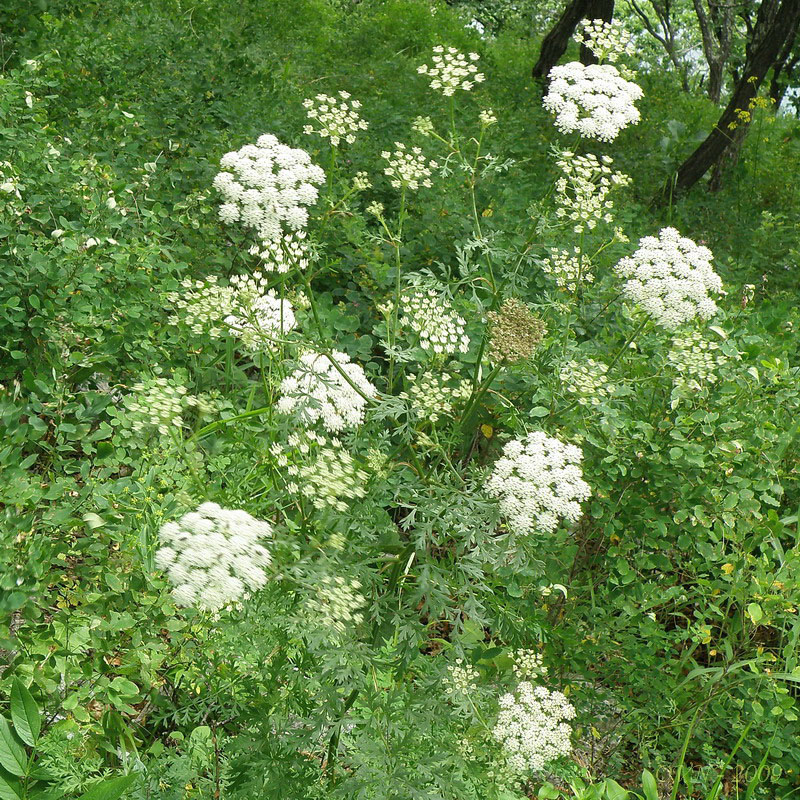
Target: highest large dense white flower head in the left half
266,186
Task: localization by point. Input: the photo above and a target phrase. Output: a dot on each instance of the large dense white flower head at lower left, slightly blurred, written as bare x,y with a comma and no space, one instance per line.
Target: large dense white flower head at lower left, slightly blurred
214,556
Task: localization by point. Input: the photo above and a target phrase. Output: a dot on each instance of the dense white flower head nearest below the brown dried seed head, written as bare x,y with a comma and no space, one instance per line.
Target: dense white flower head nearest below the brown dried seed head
539,481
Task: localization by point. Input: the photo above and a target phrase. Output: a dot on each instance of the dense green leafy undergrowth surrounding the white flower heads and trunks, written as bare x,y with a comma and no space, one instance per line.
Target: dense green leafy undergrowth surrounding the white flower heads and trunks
371,663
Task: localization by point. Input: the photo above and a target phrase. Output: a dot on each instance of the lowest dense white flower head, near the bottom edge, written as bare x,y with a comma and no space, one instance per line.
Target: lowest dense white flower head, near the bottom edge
532,727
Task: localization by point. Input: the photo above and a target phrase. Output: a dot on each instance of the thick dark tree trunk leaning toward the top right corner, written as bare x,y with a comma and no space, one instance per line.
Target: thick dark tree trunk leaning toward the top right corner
777,19
